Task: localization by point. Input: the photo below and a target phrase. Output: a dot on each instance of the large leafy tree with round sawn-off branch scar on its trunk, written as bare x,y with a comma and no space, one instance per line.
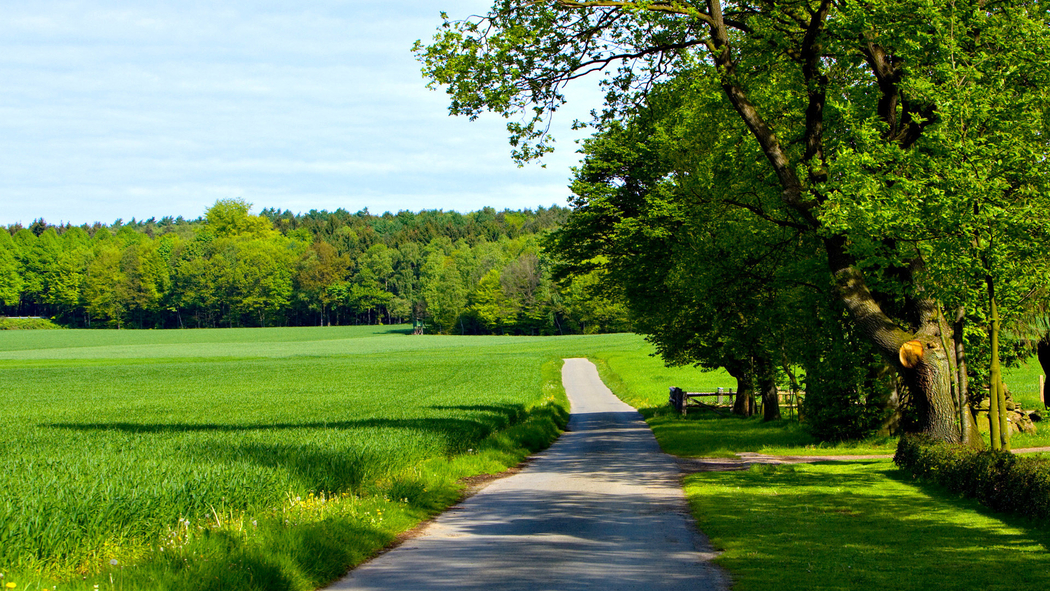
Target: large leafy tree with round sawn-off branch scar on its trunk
905,142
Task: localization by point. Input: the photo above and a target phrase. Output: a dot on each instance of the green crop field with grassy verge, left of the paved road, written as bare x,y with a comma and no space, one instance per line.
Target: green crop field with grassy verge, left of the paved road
258,458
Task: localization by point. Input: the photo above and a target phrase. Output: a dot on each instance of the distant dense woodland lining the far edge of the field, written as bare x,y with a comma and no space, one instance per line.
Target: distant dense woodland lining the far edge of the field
477,273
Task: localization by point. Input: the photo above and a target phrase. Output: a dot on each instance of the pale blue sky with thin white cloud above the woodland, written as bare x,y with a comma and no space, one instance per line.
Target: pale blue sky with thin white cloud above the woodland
120,110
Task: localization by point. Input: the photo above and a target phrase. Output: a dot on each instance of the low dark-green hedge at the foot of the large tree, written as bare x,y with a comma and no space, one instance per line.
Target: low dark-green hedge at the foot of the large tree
999,480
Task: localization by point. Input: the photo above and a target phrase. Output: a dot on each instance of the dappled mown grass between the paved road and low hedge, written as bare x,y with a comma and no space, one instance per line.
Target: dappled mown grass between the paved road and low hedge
858,525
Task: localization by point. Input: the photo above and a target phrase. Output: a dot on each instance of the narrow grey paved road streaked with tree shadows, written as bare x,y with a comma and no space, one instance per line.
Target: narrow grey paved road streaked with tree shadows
601,510
